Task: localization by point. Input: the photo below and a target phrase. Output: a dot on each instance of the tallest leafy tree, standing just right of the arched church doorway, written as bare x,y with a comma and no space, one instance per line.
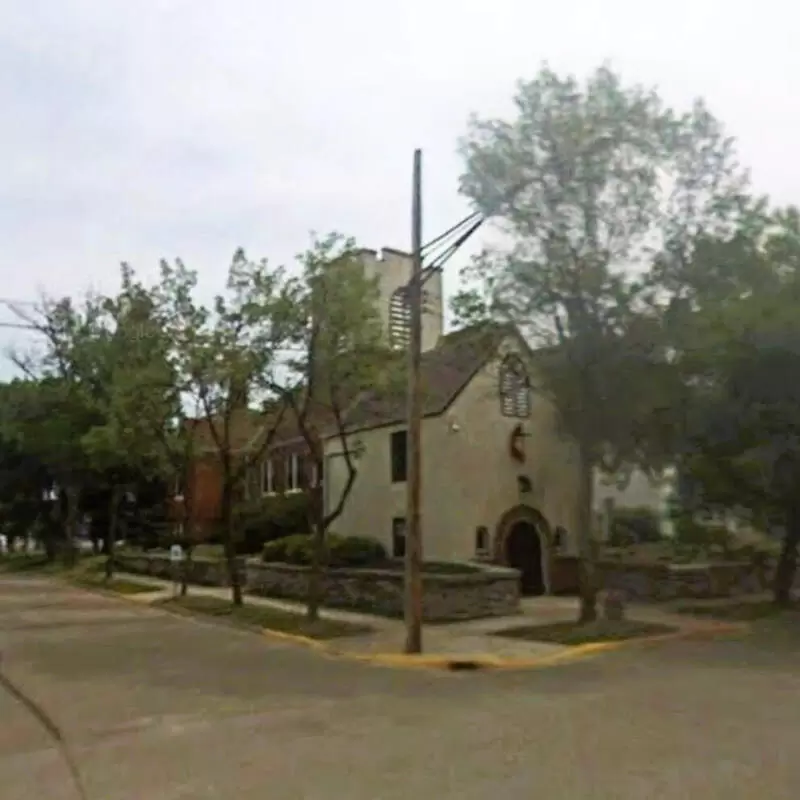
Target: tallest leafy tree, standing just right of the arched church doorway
593,186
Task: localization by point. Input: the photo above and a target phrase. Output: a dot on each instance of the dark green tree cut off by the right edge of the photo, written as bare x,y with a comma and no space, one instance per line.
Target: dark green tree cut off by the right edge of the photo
742,427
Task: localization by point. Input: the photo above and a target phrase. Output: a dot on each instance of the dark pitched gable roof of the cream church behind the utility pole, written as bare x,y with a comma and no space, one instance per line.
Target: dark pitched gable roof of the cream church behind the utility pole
445,372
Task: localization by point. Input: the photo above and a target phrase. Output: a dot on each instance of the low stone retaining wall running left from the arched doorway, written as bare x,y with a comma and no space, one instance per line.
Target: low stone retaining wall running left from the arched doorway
489,591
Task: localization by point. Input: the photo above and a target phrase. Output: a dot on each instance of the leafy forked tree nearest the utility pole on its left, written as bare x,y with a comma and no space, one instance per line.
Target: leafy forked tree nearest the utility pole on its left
337,351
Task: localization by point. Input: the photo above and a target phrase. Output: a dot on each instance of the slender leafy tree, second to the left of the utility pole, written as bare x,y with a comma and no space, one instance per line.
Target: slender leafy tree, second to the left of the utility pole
225,358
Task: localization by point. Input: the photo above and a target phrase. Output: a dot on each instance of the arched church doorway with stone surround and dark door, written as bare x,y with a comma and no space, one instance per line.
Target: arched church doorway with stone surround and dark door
522,542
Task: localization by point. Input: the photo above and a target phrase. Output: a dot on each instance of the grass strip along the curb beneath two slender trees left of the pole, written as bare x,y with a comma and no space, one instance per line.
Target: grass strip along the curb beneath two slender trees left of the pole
257,616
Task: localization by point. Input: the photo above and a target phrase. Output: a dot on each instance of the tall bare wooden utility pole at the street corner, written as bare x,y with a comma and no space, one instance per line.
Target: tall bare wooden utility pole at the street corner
413,576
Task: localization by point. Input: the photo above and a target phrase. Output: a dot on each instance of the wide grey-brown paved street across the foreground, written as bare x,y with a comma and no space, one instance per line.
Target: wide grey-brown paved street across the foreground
163,708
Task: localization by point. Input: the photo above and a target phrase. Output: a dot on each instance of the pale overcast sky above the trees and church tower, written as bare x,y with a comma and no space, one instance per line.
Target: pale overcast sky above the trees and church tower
136,129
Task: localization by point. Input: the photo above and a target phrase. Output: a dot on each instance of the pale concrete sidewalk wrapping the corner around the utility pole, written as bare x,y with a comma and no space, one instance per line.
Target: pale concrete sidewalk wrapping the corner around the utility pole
466,641
